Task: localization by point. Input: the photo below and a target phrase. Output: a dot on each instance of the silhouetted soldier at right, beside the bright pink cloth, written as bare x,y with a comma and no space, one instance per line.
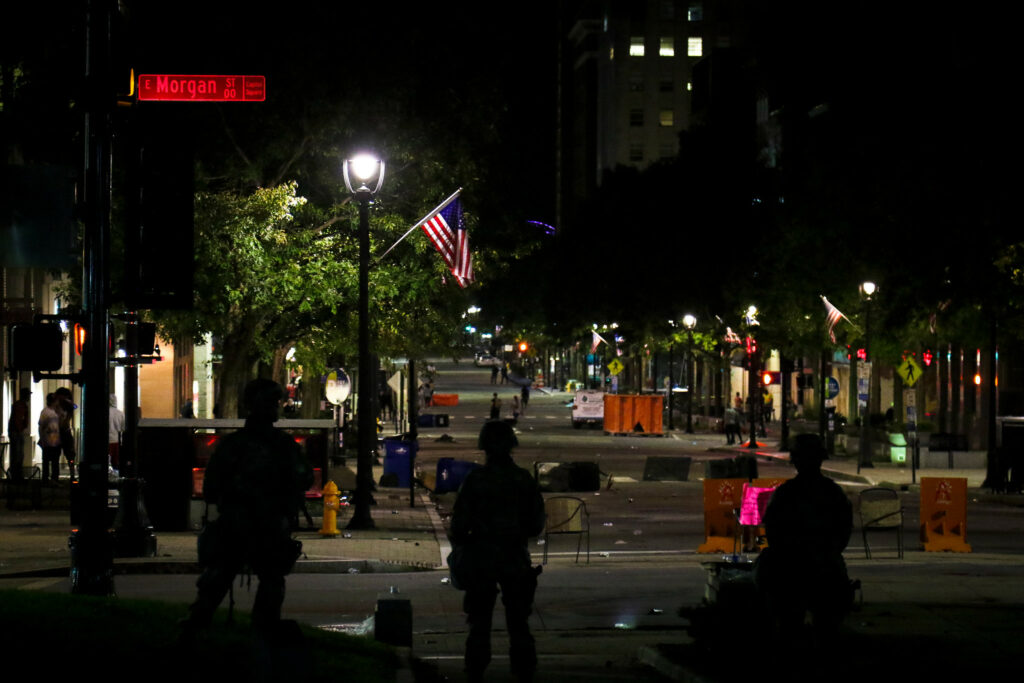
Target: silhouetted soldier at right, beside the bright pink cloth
808,525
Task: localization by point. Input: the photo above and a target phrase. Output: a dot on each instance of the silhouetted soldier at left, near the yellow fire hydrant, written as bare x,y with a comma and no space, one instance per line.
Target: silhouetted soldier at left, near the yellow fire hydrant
258,478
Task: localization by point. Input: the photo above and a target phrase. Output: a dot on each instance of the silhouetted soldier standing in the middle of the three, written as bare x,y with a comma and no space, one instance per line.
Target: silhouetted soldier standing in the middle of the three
498,509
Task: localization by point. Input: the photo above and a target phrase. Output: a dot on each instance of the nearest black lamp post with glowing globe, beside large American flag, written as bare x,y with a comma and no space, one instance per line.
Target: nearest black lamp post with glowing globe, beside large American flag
368,172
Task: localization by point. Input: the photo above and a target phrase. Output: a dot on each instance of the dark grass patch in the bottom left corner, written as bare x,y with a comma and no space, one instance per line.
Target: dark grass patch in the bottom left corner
67,635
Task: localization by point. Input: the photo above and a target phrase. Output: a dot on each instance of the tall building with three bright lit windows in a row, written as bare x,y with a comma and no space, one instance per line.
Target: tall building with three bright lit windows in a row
626,84
